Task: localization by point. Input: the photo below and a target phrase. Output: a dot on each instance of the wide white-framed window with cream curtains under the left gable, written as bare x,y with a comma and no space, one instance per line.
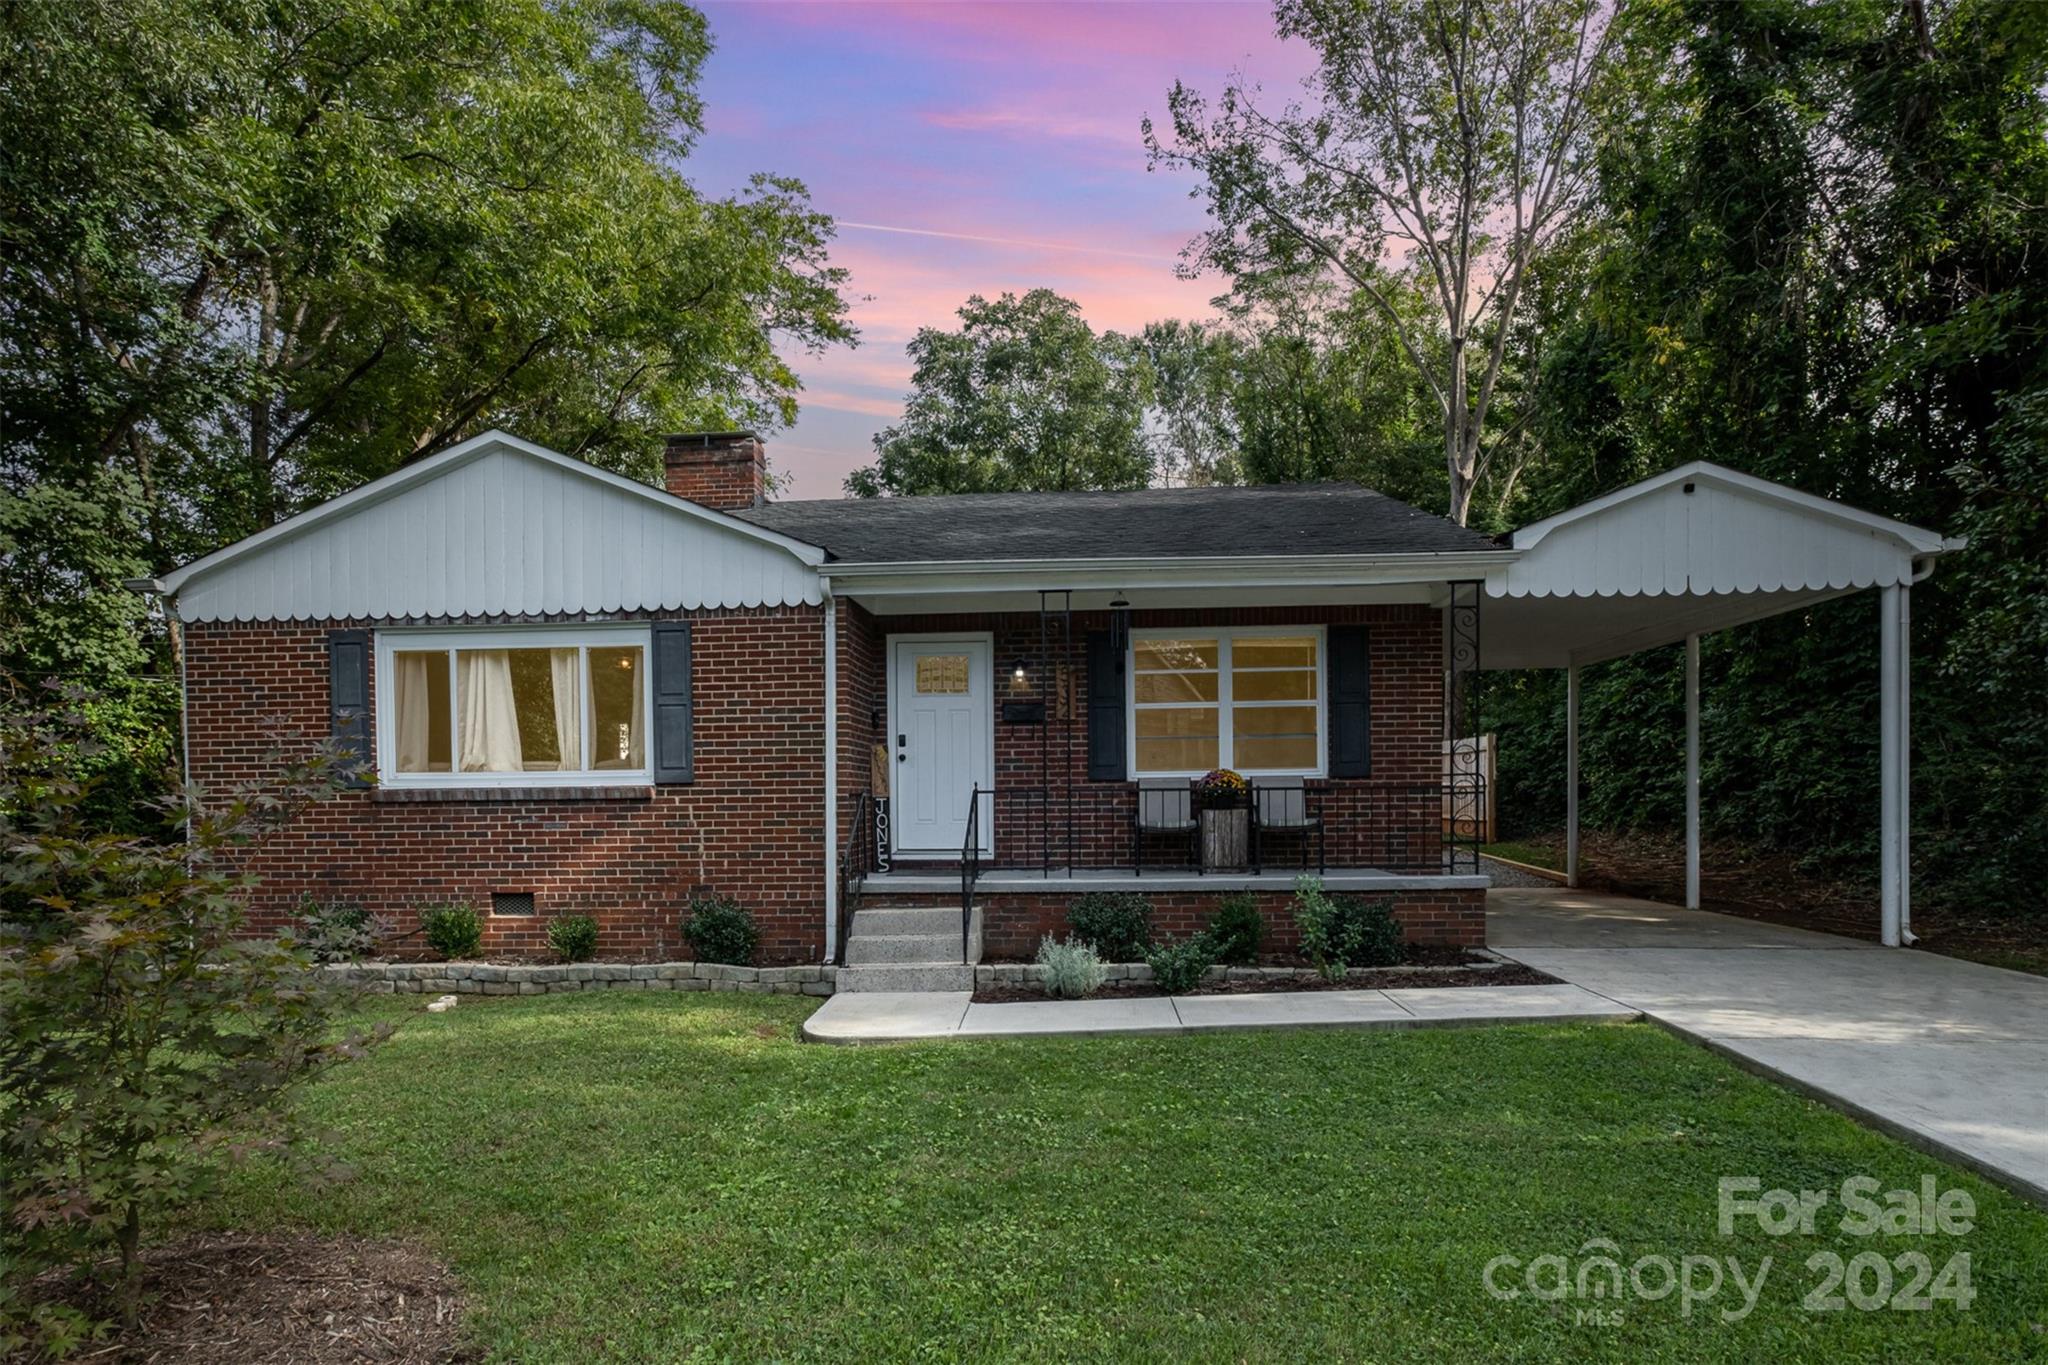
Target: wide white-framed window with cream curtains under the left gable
513,707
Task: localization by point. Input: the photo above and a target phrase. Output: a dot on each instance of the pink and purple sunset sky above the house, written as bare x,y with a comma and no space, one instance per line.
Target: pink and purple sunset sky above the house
968,148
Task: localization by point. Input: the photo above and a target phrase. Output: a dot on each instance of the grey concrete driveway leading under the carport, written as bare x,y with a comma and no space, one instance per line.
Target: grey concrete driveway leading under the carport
1947,1055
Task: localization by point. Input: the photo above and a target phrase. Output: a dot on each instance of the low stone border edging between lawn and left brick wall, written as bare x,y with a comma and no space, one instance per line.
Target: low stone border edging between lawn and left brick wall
509,979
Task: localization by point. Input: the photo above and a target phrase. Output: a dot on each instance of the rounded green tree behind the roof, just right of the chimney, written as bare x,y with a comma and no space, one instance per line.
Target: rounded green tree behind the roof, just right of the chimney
1025,396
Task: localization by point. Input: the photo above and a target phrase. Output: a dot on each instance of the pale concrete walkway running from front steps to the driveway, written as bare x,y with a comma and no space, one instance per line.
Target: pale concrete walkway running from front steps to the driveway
896,1016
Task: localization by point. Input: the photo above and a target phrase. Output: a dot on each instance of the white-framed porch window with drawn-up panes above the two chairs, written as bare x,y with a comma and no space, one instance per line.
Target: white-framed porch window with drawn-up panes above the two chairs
1248,699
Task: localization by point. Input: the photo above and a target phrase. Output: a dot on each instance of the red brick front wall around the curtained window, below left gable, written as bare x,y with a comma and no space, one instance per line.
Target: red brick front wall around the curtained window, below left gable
751,826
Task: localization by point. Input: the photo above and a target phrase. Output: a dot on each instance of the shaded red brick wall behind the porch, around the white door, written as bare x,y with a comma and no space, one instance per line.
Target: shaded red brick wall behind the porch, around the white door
1392,820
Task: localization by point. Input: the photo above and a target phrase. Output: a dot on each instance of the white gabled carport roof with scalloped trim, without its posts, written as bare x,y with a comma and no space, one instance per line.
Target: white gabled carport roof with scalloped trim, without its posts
1691,552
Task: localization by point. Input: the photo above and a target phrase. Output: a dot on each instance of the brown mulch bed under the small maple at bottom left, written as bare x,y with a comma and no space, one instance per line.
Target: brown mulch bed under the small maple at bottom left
302,1301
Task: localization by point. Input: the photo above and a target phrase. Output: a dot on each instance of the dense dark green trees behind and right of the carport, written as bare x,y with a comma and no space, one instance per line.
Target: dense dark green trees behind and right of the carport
1822,263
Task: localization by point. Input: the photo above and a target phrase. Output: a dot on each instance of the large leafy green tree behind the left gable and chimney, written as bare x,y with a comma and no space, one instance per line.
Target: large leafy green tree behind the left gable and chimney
255,255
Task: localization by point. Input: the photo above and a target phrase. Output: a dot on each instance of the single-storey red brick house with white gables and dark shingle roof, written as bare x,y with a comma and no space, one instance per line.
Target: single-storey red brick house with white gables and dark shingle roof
585,695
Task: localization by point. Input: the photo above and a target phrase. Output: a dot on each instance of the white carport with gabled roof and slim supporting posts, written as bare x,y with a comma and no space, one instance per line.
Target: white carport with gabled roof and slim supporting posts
1703,549
